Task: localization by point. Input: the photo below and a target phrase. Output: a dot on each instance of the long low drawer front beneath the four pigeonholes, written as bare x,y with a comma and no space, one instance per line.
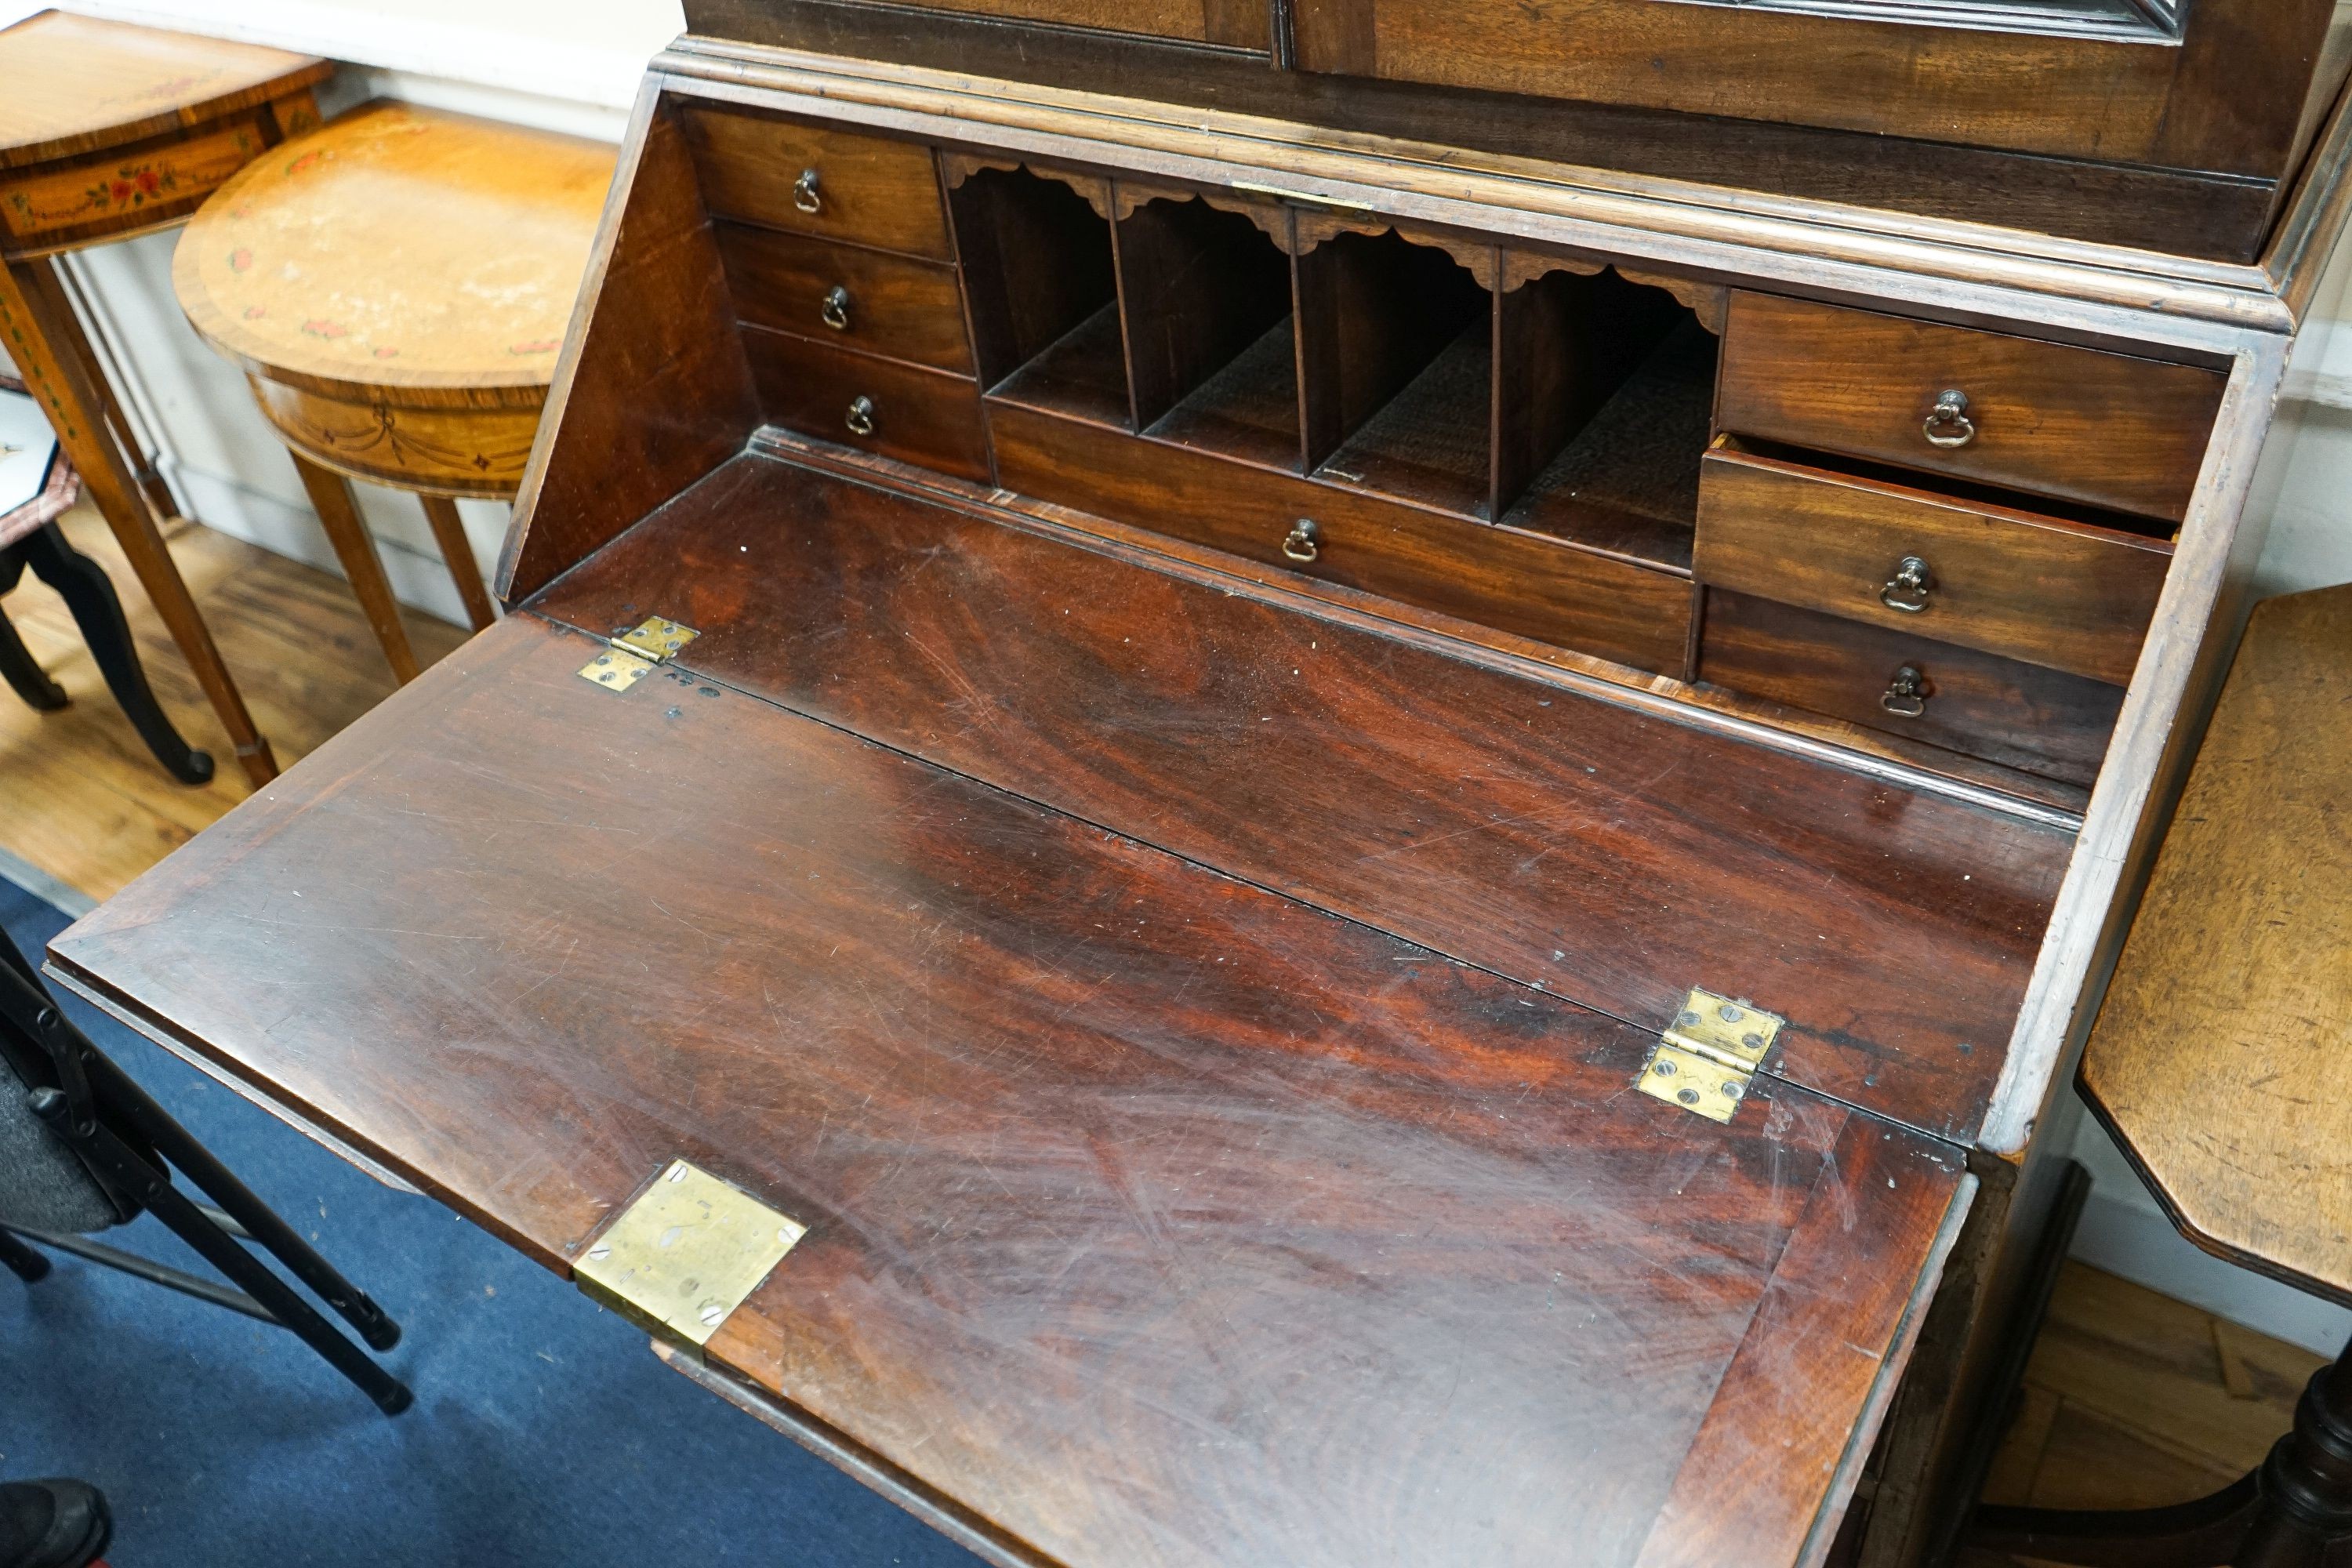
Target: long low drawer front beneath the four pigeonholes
1478,572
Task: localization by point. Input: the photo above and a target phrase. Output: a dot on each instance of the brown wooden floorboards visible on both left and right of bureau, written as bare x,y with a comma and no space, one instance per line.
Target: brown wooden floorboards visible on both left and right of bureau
2132,1398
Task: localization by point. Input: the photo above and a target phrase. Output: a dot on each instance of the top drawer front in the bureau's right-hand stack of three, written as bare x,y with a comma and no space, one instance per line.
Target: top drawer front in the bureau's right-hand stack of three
2043,417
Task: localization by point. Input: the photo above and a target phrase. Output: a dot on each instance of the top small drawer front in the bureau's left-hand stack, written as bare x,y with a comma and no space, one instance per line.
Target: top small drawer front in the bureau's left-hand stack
820,182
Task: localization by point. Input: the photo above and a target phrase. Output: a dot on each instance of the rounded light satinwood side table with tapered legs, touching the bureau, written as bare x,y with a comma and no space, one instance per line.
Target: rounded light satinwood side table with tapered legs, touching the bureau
396,293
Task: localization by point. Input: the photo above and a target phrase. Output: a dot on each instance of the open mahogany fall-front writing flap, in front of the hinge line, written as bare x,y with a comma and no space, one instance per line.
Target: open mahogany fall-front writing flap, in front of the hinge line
1111,1167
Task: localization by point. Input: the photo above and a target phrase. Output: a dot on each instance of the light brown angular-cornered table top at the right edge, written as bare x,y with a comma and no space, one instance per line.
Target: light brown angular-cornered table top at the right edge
2221,1038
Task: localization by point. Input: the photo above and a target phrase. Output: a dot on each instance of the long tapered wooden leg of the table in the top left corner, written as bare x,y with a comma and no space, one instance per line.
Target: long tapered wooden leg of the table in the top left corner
58,368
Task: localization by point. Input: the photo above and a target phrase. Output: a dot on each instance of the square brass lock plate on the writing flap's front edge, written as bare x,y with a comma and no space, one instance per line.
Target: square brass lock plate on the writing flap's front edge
686,1254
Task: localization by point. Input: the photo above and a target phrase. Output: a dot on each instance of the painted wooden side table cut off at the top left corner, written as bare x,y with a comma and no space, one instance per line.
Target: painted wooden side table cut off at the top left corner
107,133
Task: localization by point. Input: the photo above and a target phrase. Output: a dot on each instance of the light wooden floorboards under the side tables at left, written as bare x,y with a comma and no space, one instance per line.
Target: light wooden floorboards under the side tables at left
81,798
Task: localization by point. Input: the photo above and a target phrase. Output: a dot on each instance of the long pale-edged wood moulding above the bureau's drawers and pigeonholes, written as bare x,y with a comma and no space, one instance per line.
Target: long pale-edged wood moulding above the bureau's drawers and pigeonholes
1923,264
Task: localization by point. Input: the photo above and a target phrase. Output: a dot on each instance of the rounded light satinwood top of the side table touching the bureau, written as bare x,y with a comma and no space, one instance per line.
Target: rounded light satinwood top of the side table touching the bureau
399,250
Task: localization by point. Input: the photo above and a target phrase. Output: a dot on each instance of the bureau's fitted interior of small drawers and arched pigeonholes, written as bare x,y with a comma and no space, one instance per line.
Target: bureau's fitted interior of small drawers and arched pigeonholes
1763,500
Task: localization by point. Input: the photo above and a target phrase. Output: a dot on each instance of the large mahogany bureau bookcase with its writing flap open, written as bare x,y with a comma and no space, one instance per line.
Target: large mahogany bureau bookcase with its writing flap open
1257,810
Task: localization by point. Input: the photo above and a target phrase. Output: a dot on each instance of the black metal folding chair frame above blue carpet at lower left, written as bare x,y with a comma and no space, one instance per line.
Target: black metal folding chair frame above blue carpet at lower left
131,1146
